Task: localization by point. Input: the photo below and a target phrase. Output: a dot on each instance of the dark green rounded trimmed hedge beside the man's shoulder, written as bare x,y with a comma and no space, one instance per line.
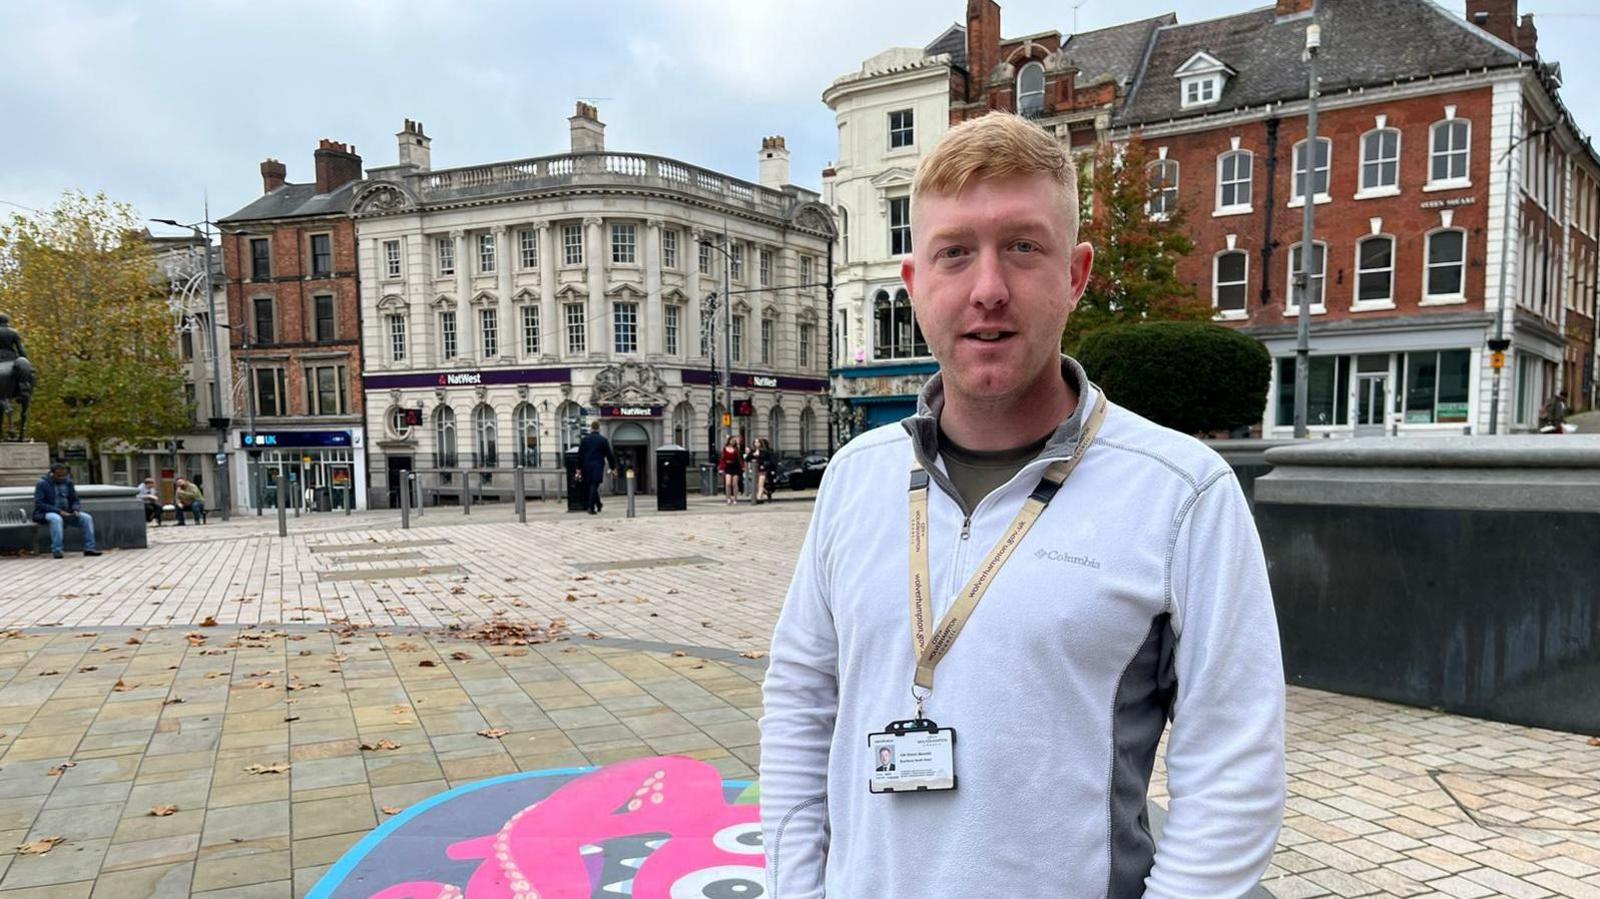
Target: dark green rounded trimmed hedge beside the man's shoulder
1191,377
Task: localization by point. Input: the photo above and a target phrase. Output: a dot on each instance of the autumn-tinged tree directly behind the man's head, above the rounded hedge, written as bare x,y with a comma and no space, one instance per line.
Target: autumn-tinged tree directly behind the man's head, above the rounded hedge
1135,276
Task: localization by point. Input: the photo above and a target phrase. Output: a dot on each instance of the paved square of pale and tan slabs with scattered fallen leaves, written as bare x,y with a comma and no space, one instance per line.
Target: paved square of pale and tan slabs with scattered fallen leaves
284,713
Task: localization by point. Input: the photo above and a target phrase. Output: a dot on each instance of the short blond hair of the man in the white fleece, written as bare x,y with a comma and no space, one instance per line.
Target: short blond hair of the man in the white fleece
999,145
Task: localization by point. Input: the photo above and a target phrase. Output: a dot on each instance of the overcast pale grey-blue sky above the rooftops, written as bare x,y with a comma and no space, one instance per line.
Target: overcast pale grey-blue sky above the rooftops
167,103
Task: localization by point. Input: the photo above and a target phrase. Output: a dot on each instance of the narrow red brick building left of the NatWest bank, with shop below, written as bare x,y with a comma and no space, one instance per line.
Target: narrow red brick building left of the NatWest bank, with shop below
294,294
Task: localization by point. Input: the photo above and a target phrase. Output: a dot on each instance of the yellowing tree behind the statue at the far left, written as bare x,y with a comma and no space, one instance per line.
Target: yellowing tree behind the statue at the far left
82,287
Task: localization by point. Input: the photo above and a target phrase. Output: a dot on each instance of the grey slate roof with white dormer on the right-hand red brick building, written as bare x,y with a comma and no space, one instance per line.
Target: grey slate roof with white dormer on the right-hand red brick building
1364,44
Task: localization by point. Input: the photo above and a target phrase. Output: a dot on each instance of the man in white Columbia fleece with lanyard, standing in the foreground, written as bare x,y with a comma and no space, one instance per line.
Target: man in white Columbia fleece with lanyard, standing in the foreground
1137,593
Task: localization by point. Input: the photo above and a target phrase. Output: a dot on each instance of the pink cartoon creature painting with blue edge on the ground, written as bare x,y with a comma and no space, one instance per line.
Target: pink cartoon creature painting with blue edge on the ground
650,829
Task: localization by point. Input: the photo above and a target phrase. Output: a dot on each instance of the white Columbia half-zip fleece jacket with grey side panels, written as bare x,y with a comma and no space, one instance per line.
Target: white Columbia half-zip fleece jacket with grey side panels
1142,594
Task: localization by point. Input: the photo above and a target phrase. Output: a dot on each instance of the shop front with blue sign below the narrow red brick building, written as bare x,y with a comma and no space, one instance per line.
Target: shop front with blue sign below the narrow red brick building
318,471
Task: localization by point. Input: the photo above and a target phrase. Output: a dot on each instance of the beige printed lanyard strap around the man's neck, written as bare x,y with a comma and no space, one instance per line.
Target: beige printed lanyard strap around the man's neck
932,650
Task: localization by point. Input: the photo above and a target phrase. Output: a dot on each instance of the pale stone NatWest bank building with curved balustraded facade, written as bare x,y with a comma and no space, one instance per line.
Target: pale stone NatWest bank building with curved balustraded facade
505,305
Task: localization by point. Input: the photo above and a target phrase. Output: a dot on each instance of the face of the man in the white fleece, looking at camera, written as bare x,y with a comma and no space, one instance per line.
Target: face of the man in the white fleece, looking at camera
994,274
